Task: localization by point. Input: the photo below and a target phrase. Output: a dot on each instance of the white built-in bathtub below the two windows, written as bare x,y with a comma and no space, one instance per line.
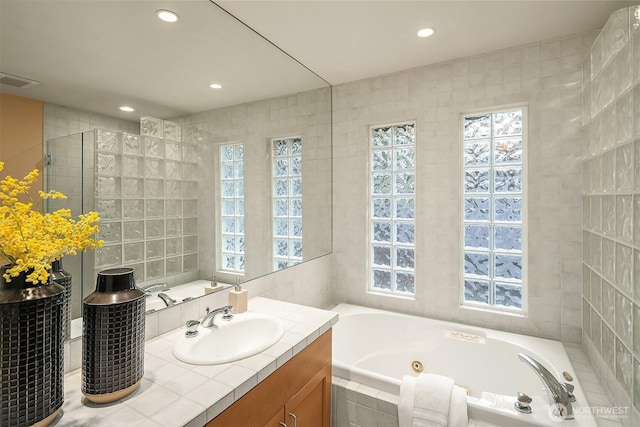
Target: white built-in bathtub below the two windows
376,348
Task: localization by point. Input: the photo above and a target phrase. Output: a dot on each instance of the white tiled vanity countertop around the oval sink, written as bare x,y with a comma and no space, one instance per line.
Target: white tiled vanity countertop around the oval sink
174,393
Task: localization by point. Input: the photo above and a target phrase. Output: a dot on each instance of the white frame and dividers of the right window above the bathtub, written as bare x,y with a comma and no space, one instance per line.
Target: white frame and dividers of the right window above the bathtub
492,307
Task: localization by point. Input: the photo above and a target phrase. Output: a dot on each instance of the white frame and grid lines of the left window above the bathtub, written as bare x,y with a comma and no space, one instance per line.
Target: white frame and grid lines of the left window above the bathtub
370,218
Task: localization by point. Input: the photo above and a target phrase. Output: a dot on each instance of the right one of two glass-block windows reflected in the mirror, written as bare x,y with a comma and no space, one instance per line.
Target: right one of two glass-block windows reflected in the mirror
287,201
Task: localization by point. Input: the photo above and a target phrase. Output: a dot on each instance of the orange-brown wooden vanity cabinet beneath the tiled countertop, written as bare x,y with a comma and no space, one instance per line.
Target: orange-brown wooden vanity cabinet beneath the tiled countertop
296,395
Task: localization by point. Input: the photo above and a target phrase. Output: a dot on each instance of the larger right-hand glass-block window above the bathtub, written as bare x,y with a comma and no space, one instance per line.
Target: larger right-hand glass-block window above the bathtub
494,262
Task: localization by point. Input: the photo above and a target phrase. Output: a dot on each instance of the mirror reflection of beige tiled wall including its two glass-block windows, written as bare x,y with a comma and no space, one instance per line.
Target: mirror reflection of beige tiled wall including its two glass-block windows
246,206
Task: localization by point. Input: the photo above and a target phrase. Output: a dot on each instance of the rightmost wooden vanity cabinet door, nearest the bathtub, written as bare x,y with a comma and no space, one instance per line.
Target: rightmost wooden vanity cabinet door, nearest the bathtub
311,406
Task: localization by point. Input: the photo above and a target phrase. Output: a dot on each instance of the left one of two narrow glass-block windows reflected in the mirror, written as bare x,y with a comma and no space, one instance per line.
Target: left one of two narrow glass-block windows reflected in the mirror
232,207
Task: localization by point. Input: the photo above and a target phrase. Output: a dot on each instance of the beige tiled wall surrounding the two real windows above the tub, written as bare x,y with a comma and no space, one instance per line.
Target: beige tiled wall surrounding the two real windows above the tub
546,77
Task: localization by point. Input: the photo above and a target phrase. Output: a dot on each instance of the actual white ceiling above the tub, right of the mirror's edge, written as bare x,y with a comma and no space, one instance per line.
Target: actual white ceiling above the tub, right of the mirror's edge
349,40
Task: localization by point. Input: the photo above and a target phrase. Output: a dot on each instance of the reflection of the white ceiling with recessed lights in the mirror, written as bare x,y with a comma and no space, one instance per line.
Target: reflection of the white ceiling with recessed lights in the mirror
98,55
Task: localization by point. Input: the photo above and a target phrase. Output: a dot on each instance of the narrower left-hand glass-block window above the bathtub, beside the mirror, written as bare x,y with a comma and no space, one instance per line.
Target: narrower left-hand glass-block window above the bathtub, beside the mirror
392,209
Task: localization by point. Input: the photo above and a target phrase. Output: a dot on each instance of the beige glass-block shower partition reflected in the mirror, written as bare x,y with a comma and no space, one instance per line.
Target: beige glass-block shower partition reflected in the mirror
146,194
